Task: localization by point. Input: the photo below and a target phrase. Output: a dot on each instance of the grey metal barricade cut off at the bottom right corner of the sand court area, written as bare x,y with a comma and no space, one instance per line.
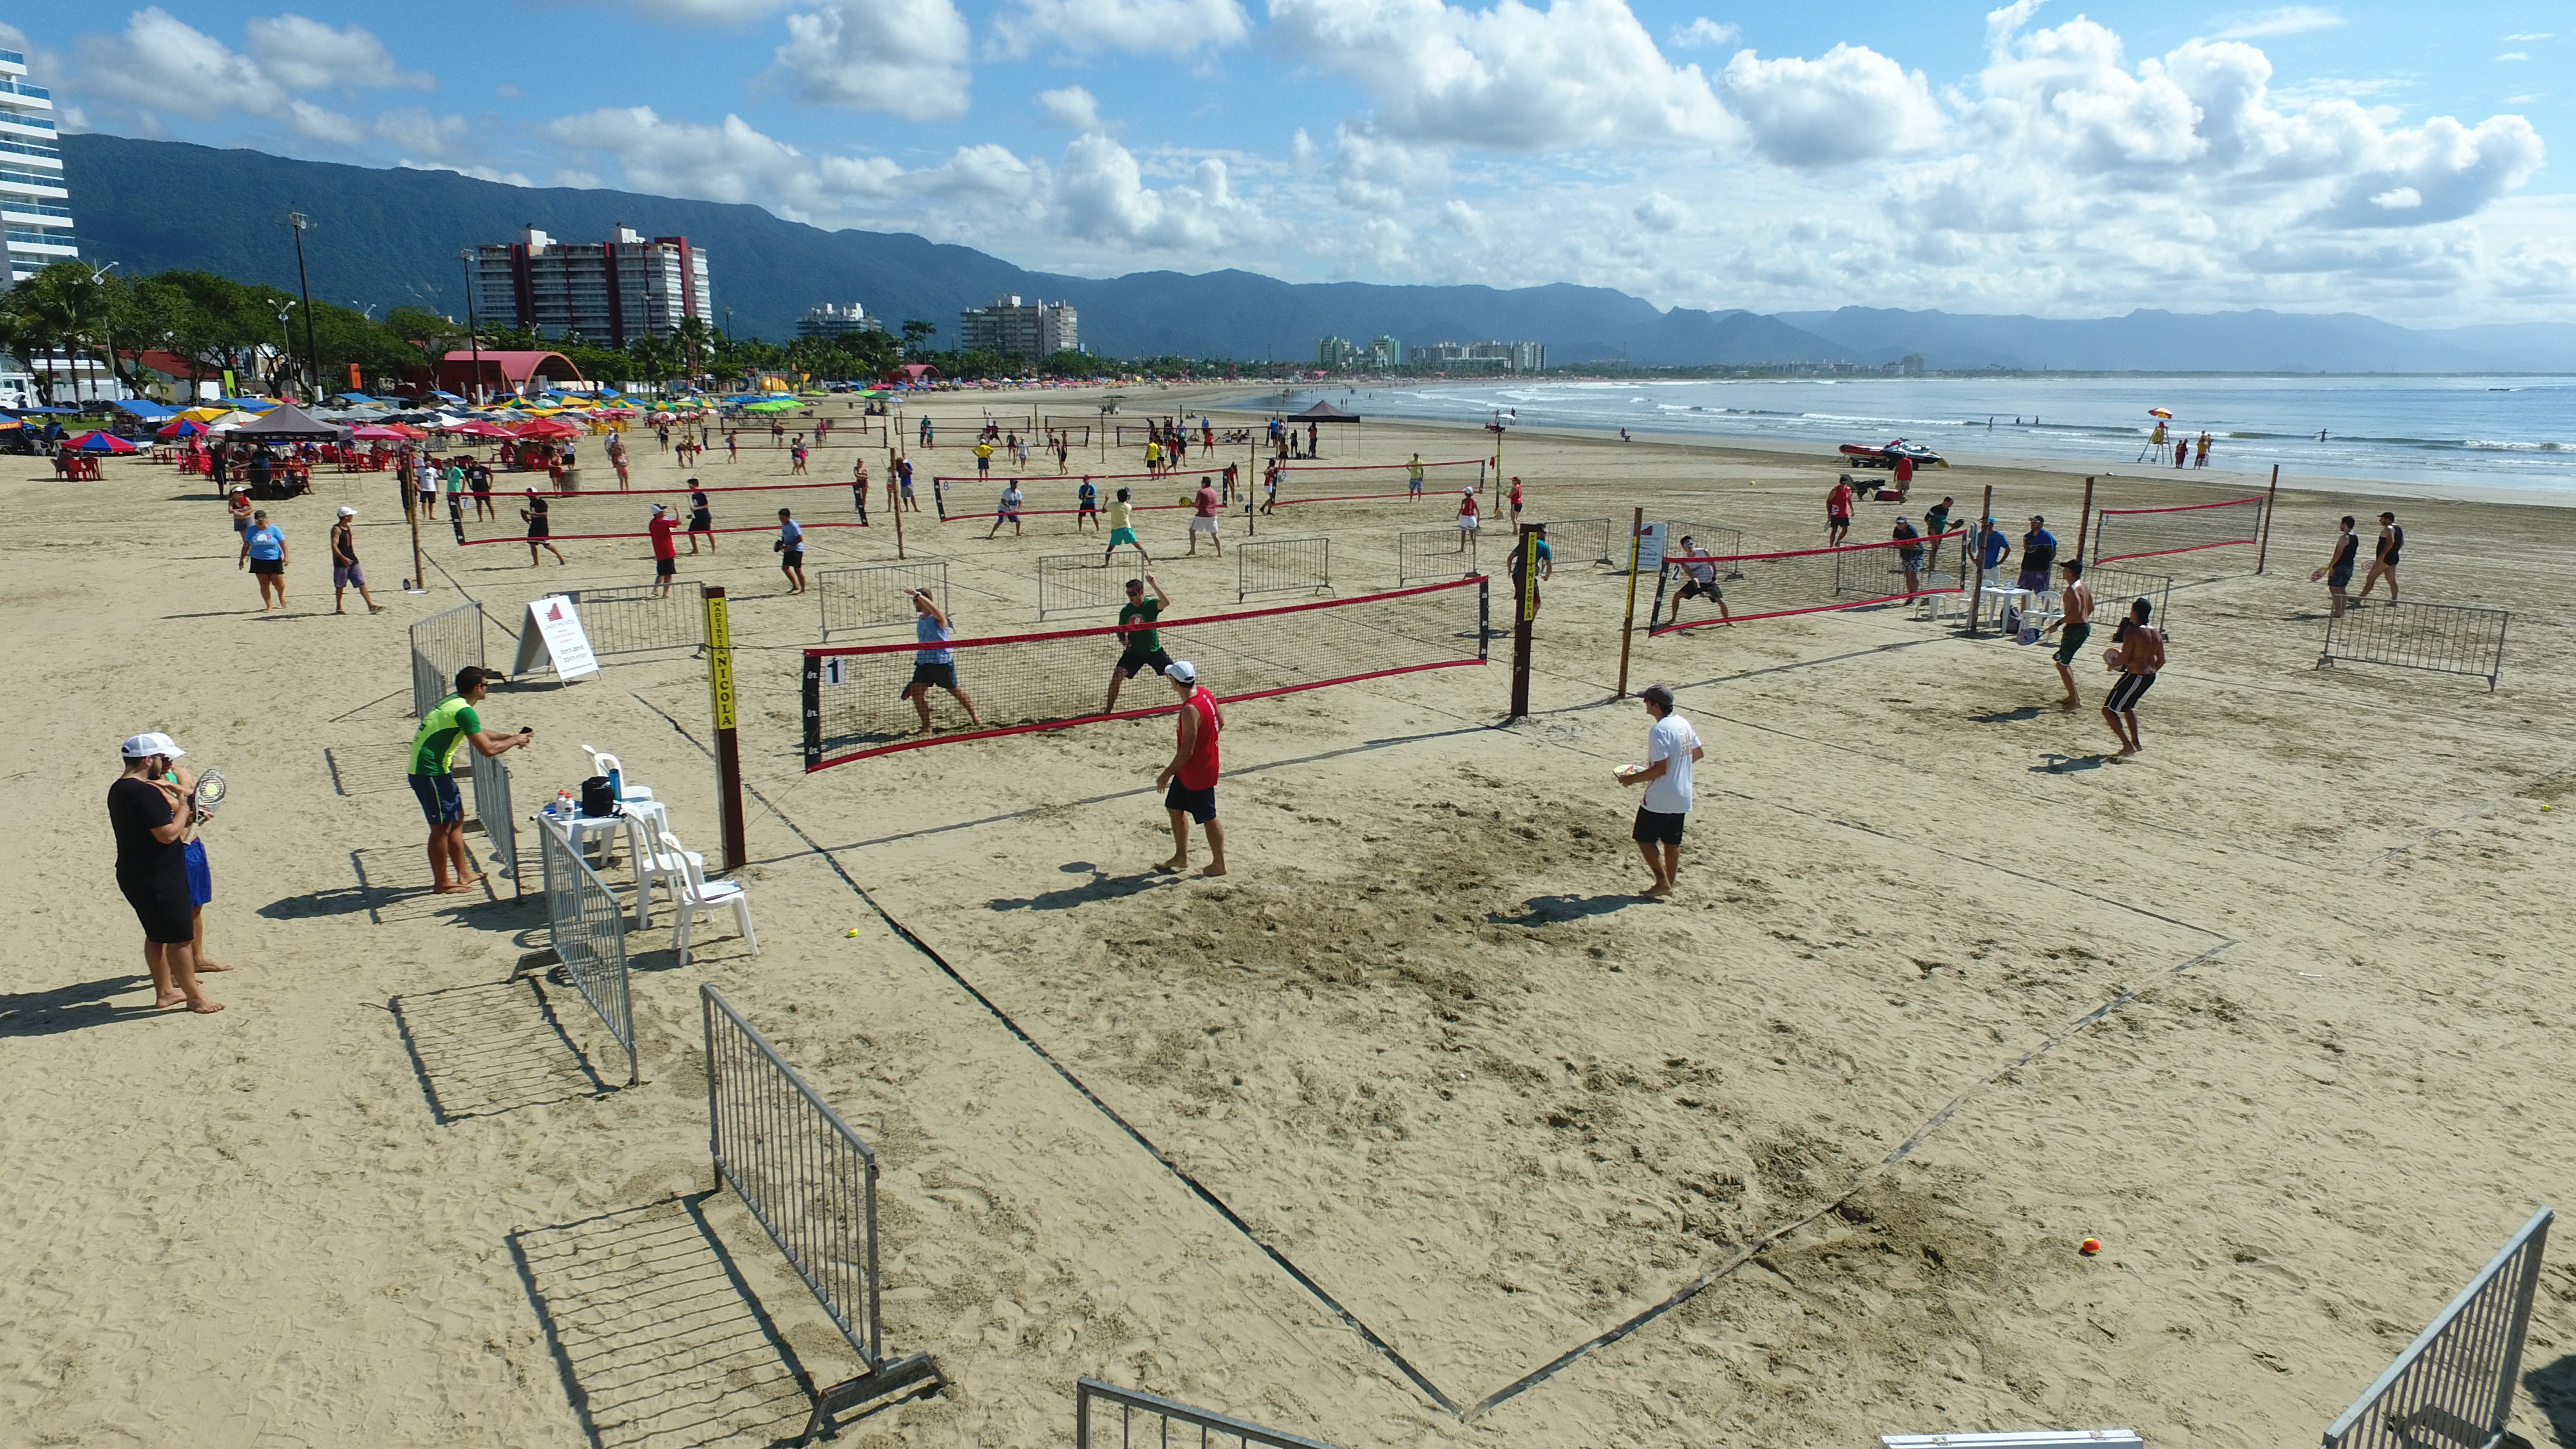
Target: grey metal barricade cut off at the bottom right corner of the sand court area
2456,1383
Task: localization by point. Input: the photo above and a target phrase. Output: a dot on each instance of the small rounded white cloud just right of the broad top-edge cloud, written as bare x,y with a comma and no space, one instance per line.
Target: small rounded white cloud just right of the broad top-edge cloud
1851,104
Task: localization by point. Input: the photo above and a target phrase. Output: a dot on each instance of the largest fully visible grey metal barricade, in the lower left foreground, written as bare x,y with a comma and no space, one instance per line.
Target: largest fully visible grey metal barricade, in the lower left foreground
810,1185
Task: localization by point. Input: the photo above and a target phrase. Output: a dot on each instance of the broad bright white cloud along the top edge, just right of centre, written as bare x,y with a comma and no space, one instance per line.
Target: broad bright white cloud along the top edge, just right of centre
1508,79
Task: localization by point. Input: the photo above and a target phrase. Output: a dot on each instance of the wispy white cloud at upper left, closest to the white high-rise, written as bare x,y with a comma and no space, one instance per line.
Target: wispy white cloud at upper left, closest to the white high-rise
166,68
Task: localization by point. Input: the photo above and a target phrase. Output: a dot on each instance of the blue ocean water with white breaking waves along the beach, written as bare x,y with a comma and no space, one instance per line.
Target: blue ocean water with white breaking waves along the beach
2490,432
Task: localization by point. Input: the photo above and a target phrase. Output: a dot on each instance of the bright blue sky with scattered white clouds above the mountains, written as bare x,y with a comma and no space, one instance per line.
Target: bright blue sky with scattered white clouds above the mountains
2036,159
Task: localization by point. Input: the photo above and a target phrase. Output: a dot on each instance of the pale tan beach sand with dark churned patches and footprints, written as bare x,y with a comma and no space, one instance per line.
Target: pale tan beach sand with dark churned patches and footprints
2268,1009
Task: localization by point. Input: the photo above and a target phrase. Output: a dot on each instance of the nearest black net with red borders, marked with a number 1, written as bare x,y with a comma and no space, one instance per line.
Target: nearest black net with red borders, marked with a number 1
854,695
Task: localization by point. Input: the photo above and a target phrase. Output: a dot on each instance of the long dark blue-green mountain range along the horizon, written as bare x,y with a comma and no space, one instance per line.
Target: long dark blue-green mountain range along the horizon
393,238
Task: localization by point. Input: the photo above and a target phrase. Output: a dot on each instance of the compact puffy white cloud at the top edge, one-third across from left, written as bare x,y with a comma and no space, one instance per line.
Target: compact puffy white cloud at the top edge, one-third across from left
880,55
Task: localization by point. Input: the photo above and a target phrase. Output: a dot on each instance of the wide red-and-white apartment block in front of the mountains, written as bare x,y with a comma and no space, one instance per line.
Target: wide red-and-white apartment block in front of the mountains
607,293
